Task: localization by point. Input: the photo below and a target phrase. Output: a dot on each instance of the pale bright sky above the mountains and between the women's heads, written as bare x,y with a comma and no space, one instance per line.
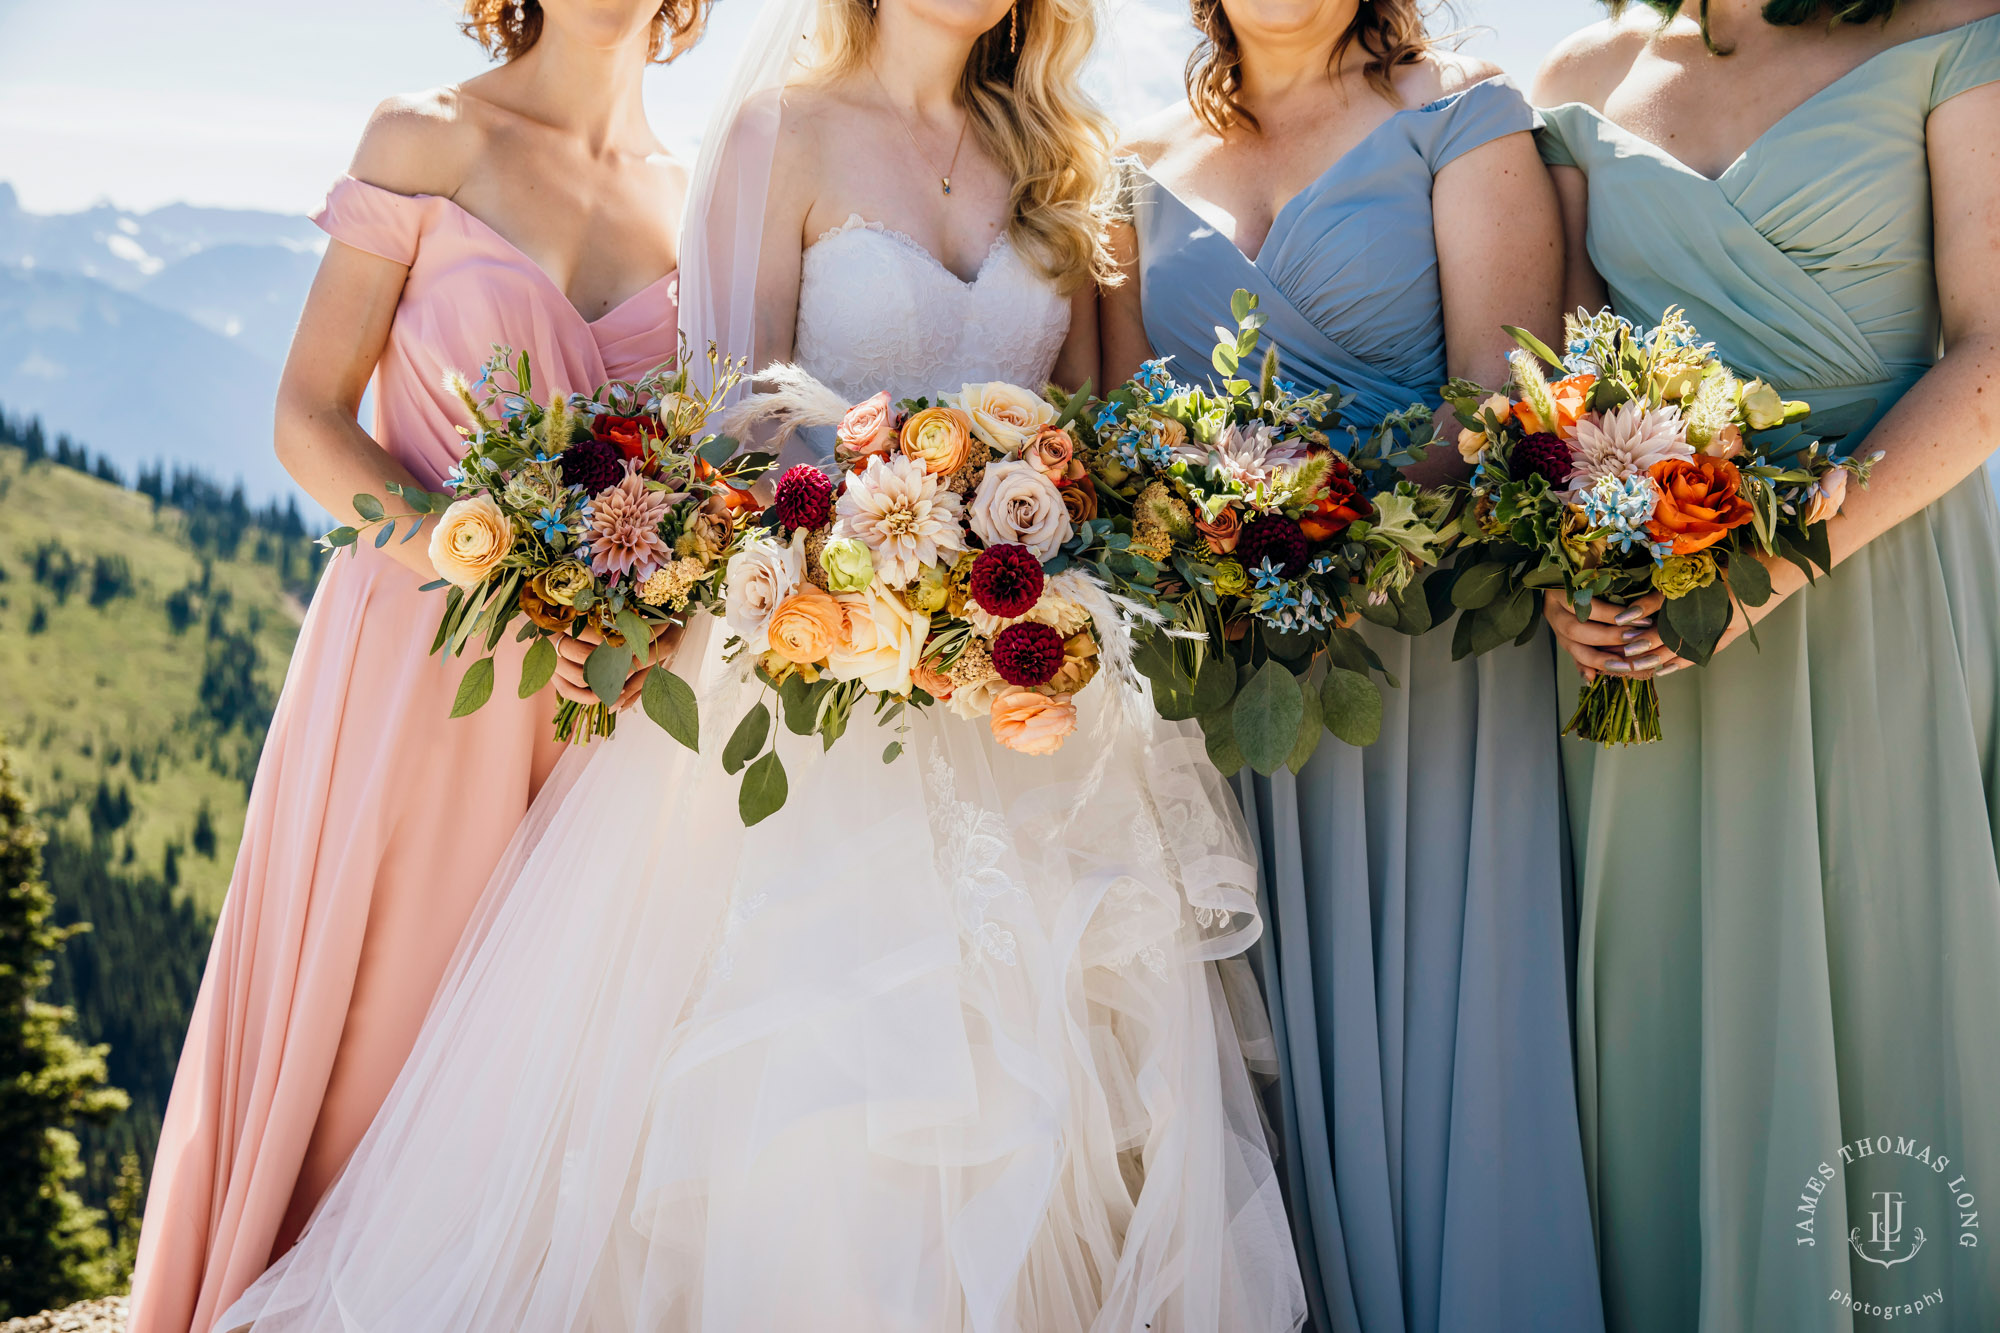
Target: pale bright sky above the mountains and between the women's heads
257,103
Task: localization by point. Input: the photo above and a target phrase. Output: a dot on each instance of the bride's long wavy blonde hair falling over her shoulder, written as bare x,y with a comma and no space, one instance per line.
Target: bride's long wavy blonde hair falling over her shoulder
1029,113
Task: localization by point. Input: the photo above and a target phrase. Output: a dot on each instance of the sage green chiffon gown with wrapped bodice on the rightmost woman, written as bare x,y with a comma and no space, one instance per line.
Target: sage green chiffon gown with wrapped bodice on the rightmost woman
1791,906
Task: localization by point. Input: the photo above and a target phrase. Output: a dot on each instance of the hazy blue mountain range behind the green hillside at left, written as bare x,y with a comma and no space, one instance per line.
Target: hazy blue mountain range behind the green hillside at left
155,335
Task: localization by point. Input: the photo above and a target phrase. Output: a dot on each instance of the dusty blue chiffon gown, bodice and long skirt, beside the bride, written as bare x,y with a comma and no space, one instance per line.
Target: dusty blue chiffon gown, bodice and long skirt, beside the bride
1415,892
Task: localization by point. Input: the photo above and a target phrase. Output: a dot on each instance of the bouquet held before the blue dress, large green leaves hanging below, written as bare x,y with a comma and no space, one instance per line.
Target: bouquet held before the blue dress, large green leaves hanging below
1259,531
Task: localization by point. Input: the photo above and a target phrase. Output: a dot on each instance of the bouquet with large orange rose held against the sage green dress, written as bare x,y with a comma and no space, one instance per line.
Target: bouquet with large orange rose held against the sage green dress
1649,467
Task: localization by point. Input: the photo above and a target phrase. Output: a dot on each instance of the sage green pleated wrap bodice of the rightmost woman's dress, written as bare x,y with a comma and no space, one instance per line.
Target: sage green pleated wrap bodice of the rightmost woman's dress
1809,259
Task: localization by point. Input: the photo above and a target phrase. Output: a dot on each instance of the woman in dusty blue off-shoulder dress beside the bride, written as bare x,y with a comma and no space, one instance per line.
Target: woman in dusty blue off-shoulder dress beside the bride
1415,924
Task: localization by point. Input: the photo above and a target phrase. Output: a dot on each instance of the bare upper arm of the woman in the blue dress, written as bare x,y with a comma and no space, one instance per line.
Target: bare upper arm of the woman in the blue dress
1495,265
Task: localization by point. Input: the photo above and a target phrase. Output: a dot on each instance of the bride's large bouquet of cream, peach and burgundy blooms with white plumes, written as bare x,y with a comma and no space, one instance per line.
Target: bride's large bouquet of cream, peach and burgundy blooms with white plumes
941,561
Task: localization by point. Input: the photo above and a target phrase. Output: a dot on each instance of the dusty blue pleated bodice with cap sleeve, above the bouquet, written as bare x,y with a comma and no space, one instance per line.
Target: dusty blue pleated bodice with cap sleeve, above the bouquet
1349,275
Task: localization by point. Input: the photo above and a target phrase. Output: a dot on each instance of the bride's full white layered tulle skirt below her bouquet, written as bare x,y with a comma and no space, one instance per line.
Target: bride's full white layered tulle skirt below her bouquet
943,1046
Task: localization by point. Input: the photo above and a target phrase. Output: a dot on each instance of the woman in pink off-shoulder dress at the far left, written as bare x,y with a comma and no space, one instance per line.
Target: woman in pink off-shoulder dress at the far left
535,209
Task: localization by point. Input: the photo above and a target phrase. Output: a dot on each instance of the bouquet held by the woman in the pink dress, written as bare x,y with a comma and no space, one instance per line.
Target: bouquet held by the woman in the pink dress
611,511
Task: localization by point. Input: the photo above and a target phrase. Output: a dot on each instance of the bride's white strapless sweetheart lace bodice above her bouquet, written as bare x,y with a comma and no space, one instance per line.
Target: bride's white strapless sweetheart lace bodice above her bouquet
879,311
